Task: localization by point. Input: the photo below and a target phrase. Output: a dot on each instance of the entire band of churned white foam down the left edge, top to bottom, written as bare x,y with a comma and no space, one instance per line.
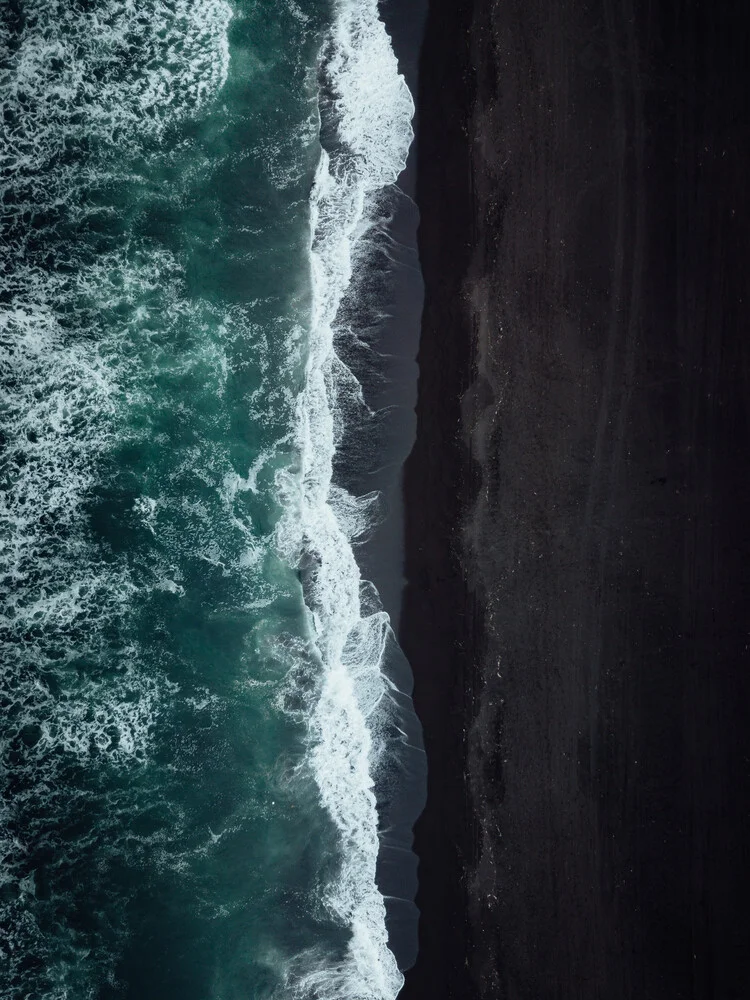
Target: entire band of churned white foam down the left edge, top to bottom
83,86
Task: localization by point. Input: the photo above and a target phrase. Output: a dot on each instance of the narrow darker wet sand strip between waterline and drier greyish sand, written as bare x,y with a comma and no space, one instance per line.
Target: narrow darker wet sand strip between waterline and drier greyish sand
434,628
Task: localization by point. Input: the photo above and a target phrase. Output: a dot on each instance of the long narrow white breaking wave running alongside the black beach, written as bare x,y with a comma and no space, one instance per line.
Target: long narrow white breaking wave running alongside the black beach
360,730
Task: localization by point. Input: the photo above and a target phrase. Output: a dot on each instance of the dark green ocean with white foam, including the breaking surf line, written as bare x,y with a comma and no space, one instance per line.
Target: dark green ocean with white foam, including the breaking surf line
204,748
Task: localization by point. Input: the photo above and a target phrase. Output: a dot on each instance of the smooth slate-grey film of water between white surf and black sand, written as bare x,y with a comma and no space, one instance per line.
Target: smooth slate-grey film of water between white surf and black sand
390,312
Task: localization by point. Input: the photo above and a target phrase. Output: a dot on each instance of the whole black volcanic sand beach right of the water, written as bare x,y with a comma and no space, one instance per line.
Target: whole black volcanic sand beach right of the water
577,613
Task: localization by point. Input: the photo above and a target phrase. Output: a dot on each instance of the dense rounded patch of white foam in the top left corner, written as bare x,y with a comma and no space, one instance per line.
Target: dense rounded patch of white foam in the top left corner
118,71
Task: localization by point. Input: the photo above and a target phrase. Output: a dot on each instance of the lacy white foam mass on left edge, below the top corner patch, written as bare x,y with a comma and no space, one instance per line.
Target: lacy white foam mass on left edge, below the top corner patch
59,594
